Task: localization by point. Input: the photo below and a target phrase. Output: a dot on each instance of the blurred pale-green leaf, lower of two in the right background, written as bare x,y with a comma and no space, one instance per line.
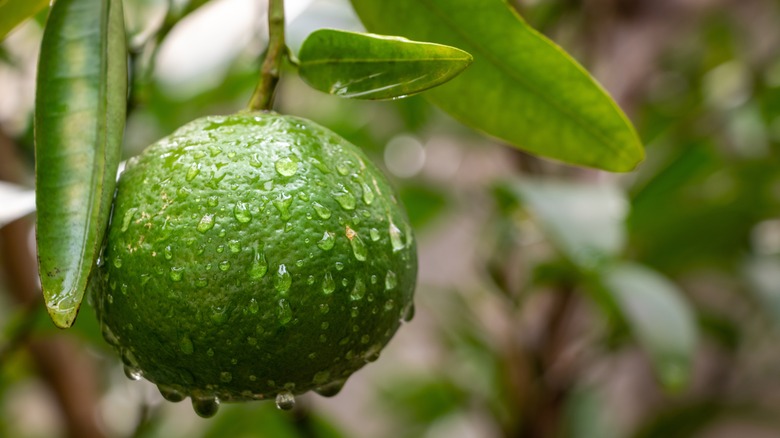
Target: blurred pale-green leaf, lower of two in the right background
659,317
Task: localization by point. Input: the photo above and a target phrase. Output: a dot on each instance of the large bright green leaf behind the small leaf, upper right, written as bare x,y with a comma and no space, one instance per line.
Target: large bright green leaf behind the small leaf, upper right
522,88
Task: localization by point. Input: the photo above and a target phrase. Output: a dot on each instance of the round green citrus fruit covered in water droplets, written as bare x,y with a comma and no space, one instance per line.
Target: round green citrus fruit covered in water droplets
253,255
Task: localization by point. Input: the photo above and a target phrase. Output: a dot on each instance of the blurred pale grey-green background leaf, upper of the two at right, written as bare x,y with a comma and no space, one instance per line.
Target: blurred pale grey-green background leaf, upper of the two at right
585,221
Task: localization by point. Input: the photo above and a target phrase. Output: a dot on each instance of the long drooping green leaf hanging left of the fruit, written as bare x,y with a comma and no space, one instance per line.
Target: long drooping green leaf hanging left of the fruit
79,121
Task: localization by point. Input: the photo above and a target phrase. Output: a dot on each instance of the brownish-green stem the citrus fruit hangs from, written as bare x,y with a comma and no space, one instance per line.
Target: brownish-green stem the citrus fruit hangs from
263,97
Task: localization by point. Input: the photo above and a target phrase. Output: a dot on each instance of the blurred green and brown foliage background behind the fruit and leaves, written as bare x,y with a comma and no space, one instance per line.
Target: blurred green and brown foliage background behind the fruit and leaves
552,301
